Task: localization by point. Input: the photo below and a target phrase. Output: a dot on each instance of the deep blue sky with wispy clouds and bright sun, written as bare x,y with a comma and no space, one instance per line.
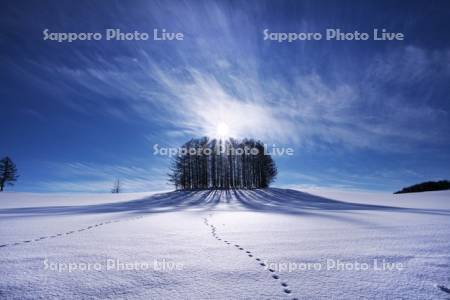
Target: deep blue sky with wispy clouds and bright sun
359,114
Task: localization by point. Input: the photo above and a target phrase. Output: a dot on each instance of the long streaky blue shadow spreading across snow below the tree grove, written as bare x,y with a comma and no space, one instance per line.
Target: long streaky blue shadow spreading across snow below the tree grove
265,200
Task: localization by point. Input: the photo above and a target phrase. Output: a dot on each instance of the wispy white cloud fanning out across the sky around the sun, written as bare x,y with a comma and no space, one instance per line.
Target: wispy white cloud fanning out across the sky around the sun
225,73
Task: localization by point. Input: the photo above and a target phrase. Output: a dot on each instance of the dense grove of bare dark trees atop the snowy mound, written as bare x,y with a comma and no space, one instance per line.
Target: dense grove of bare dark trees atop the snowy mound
219,164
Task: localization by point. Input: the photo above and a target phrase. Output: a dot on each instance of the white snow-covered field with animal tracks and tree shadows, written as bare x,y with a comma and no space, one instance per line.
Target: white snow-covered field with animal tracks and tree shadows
225,245
